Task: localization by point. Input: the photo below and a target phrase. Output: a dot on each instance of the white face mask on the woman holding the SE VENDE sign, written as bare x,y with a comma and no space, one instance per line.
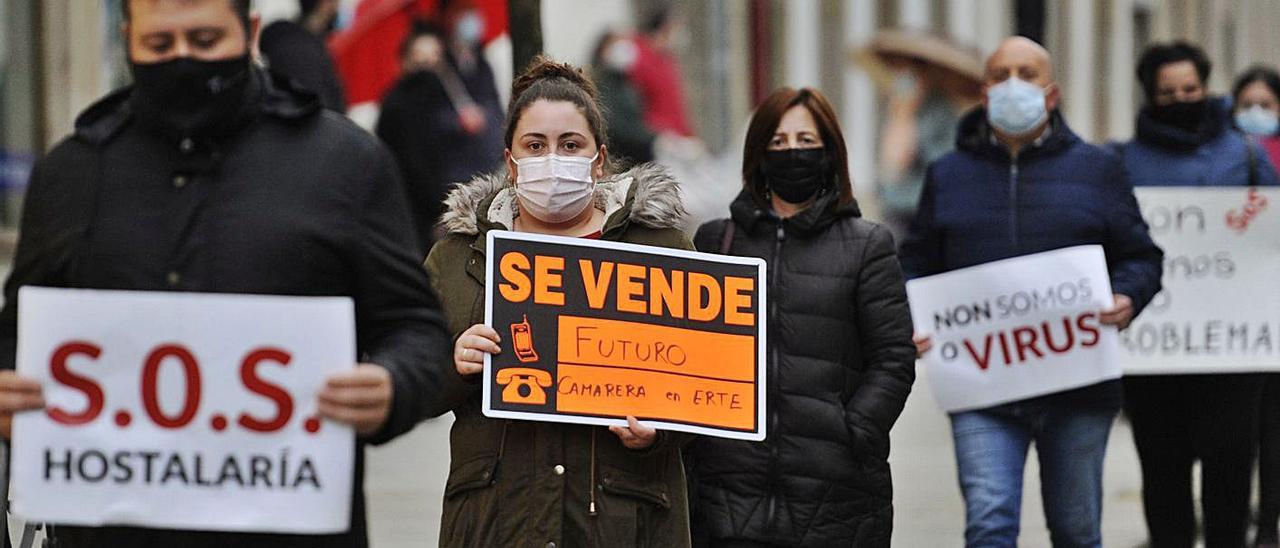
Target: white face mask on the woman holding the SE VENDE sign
555,189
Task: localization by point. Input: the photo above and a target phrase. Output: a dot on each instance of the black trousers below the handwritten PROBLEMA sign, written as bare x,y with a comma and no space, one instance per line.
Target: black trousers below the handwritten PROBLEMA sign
1182,419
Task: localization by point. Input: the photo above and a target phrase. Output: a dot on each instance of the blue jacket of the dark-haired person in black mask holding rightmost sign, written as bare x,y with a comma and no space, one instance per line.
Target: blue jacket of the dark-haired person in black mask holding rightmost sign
1217,156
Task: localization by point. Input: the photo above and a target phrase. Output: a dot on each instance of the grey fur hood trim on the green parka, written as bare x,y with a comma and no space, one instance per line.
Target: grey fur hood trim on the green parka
647,195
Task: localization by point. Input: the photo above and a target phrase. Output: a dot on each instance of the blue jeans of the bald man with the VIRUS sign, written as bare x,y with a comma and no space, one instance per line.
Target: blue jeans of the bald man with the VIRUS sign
991,453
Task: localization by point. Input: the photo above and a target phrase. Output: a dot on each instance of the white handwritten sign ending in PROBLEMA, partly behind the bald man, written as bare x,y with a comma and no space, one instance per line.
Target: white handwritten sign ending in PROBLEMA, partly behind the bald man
1220,307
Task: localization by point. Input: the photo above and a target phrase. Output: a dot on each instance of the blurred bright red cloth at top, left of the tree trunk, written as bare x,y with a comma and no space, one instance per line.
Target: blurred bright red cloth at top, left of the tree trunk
368,53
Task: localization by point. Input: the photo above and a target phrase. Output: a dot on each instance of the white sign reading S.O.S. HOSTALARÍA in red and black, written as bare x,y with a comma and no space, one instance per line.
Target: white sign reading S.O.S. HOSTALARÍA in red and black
182,412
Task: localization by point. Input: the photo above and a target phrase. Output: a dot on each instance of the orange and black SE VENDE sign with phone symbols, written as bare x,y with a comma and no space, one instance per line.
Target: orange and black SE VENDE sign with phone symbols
596,331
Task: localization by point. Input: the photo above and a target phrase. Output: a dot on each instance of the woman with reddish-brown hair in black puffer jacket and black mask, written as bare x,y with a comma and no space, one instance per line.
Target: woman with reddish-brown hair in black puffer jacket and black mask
842,360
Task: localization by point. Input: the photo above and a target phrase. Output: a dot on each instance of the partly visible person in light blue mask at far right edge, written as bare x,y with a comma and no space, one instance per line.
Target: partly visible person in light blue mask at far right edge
1256,104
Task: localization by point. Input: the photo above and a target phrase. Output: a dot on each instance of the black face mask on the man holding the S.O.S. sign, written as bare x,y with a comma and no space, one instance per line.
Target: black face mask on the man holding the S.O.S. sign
188,98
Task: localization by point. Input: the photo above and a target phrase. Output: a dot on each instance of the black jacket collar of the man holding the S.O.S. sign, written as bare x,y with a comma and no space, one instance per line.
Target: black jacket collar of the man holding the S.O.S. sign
280,99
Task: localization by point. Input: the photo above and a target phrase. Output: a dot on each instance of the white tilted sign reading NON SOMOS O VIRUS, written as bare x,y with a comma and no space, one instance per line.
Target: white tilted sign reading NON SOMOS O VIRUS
1018,328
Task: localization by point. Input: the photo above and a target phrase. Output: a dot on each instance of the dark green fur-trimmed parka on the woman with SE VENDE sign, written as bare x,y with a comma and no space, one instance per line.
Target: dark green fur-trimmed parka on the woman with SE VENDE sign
541,485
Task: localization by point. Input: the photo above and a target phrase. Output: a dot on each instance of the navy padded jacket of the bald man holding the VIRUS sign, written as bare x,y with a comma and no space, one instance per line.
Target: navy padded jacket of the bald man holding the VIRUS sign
982,205
